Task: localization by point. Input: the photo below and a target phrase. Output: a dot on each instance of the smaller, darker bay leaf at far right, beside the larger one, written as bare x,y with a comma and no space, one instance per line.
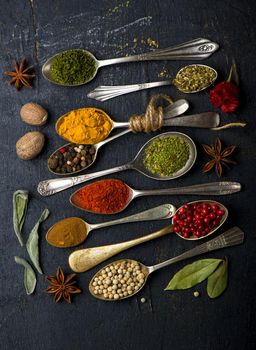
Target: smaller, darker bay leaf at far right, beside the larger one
218,281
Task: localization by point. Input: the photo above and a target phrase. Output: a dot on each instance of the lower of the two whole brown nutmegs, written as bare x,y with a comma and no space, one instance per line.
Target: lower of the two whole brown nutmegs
30,145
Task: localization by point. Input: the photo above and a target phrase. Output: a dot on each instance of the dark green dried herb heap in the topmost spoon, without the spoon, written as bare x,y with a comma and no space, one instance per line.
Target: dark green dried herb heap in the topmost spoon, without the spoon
73,67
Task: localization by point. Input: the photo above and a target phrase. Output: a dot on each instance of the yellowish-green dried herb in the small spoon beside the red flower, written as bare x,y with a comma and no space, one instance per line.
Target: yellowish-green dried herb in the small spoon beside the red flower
194,78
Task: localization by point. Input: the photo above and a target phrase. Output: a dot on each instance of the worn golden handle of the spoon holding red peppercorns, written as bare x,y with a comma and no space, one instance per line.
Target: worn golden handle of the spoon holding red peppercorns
84,259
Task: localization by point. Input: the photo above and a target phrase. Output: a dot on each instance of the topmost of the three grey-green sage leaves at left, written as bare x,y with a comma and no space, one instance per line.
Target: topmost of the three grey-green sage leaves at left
19,201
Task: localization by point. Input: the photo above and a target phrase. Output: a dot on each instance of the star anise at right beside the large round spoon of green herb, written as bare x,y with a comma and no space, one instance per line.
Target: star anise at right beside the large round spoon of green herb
220,157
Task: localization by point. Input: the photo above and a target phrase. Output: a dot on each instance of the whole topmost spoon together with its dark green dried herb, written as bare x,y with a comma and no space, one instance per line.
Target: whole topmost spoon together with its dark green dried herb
77,66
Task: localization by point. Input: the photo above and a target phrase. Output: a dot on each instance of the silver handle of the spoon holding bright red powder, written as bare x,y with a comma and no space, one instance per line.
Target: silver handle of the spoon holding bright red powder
207,189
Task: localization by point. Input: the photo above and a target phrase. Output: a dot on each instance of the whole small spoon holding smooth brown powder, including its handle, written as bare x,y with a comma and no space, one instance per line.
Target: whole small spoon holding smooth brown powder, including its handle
162,212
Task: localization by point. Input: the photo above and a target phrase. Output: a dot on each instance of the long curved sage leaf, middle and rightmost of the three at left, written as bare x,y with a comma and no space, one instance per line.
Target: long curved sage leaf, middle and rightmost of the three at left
32,242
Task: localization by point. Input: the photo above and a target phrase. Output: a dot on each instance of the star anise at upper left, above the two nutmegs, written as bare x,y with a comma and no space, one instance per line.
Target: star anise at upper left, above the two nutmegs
22,75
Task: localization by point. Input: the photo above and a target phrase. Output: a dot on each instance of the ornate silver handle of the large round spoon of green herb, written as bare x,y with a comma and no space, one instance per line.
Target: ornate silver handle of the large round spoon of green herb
52,186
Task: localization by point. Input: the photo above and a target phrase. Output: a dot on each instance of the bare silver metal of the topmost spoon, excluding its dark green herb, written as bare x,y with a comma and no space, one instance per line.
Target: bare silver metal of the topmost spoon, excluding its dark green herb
196,49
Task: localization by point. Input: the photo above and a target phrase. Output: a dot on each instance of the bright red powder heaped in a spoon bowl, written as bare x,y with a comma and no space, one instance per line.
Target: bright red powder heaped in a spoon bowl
105,196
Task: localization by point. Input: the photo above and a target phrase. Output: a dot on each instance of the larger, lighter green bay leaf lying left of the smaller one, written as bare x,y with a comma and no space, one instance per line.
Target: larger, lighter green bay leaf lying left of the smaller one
192,274
